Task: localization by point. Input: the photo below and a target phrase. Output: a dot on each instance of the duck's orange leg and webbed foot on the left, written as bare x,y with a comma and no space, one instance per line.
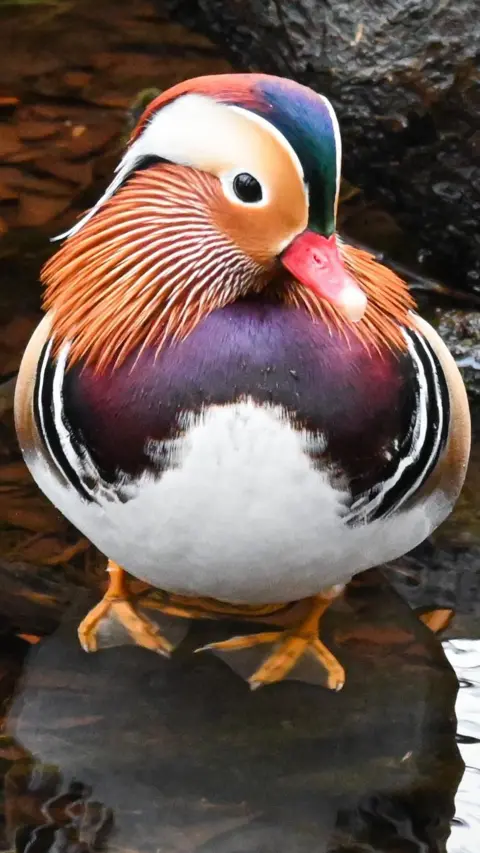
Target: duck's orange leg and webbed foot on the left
117,603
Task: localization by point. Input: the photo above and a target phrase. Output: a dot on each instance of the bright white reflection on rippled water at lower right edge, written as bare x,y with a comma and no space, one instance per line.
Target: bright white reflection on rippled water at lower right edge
464,656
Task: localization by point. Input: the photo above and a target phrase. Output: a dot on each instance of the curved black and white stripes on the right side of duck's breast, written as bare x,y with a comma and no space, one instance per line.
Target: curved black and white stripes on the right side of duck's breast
418,451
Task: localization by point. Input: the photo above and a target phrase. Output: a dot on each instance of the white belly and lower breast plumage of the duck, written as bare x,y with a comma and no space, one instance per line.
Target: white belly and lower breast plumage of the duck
242,514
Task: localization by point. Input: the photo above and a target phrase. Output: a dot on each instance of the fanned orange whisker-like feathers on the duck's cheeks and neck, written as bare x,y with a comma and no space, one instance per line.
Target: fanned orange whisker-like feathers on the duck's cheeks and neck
134,275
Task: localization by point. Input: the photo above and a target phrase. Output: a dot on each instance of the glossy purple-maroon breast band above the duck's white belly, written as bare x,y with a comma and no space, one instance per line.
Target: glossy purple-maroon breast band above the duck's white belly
361,401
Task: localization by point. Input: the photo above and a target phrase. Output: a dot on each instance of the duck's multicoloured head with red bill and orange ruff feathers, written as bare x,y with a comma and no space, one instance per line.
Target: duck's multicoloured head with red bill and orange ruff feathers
228,187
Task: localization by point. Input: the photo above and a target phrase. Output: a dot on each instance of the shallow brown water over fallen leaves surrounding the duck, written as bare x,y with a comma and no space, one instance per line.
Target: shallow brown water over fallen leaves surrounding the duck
122,751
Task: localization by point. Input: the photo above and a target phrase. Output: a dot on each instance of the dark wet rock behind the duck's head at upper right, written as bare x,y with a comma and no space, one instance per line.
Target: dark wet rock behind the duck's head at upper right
405,82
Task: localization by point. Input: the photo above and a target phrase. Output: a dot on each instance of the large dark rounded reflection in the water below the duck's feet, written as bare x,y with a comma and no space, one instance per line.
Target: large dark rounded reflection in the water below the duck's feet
124,751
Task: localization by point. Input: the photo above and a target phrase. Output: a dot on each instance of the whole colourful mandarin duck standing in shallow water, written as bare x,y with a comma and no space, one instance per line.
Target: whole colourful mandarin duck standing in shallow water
234,405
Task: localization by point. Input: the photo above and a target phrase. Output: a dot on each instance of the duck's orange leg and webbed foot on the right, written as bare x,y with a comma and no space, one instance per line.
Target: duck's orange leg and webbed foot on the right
290,645
